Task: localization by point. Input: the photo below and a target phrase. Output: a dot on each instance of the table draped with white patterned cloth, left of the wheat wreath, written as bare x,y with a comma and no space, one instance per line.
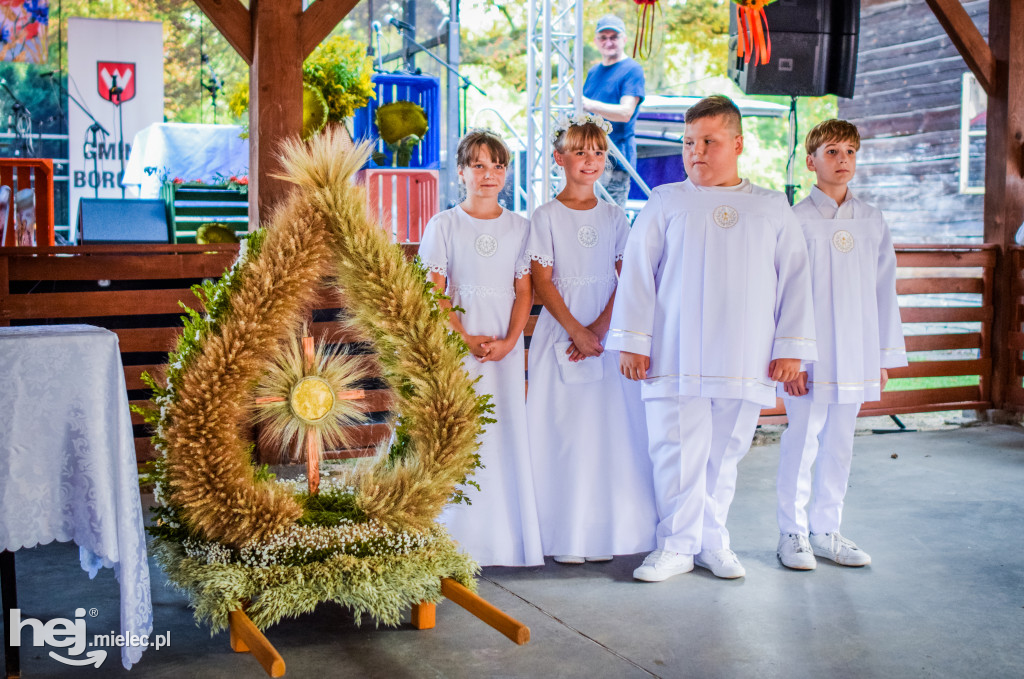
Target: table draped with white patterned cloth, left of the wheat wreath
68,468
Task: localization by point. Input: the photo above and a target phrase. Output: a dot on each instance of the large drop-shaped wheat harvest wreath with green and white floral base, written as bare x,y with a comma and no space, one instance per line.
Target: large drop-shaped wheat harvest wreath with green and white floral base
231,535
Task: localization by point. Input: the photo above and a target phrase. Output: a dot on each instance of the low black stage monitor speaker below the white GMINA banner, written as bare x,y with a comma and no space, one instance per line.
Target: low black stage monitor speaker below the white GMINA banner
122,221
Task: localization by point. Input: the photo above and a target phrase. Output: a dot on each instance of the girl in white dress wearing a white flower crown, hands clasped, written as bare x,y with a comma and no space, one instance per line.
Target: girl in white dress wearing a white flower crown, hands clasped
588,439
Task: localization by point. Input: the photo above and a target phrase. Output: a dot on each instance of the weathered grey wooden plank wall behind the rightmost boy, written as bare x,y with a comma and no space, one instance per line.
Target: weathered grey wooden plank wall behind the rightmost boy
908,107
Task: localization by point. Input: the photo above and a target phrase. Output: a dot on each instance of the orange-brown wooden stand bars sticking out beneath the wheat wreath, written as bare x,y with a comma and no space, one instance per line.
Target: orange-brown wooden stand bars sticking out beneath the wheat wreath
246,638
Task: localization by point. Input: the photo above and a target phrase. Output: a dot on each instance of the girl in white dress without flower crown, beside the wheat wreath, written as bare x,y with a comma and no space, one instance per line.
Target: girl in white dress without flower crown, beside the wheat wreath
475,253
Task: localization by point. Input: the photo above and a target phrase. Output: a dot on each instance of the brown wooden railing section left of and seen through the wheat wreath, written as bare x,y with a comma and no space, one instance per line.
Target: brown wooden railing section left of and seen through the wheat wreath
135,291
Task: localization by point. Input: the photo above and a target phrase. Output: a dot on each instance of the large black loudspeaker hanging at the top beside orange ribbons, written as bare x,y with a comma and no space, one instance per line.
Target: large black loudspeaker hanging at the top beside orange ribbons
814,50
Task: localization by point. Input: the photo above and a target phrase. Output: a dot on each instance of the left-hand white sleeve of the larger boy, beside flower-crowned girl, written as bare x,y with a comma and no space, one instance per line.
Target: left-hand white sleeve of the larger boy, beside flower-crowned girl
633,315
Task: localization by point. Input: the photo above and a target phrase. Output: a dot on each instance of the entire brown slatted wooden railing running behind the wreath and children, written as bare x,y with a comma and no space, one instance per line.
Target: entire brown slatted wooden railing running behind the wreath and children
946,294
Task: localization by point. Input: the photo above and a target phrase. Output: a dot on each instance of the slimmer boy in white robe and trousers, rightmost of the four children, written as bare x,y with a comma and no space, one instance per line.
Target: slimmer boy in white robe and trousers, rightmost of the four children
854,276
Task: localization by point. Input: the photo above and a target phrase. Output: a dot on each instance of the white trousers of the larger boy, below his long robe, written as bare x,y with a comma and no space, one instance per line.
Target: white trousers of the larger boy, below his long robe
696,446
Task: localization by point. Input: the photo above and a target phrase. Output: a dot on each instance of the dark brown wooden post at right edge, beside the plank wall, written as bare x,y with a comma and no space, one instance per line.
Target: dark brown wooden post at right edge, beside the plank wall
1005,182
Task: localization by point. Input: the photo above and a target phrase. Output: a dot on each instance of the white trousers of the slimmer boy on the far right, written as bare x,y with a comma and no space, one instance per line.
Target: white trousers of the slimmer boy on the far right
820,435
